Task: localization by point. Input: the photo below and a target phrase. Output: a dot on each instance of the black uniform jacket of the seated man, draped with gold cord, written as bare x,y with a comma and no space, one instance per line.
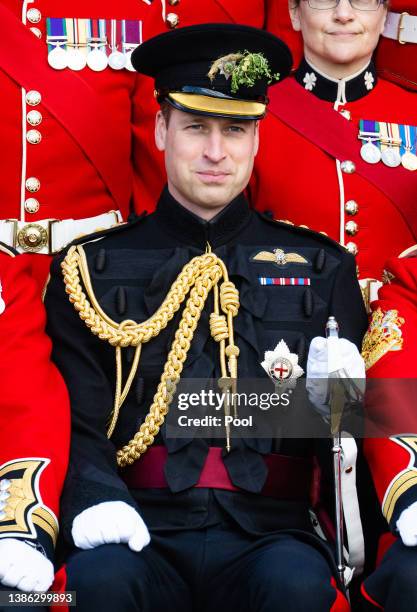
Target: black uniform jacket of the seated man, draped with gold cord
132,268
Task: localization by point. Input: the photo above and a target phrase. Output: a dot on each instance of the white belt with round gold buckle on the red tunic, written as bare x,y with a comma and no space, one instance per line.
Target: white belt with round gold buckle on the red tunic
49,236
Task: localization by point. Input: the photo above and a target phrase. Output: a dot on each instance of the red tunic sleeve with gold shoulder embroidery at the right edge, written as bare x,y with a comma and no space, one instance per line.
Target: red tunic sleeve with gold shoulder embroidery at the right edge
389,356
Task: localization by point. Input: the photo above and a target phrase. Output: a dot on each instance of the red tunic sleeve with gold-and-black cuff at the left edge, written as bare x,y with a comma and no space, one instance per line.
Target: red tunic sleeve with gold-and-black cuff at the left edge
34,412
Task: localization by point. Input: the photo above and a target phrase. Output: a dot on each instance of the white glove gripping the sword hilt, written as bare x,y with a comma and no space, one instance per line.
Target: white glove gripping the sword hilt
327,356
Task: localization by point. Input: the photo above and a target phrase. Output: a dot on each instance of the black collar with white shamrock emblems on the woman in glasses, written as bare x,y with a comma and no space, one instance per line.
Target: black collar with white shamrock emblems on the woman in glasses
324,87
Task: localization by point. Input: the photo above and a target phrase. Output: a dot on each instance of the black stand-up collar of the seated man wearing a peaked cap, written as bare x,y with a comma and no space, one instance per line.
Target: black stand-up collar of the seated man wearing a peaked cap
191,230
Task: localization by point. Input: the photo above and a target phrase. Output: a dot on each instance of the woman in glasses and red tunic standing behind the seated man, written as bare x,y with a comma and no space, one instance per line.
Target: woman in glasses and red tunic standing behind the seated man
313,168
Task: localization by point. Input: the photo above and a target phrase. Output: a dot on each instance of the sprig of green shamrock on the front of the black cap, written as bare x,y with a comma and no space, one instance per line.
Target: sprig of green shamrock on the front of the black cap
244,69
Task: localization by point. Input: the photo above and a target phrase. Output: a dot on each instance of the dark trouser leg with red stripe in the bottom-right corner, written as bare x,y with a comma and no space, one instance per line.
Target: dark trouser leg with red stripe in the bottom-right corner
393,585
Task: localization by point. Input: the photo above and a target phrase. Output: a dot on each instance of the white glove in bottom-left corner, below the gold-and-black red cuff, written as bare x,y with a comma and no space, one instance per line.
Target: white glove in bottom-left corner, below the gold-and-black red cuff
24,567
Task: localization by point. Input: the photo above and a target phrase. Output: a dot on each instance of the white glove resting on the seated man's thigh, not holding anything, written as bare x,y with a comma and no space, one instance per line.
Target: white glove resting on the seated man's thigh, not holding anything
110,523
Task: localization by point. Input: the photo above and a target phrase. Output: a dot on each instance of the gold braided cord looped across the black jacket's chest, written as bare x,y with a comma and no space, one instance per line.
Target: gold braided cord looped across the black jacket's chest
197,278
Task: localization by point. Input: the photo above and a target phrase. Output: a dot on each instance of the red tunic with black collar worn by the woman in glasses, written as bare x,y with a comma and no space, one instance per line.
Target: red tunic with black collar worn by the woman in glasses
298,181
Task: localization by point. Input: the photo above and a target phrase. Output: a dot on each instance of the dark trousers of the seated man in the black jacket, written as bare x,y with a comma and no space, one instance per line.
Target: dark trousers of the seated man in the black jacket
211,569
